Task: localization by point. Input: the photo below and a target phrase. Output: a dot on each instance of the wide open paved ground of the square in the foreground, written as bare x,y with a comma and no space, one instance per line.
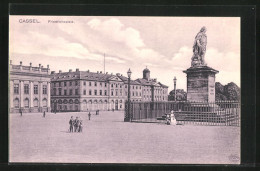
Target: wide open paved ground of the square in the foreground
107,139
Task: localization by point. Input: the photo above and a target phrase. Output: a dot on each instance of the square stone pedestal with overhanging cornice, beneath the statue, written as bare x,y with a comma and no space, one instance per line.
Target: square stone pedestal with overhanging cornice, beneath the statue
201,83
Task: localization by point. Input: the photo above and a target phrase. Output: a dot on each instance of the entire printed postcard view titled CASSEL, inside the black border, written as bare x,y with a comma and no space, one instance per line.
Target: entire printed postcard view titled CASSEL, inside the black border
111,89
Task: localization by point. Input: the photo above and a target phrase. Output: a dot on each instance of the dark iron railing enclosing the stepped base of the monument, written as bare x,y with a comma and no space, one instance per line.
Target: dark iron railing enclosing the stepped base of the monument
202,113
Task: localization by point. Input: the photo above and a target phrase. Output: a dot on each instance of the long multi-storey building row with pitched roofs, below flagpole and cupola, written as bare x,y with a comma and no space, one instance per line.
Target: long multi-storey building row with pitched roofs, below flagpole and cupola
89,91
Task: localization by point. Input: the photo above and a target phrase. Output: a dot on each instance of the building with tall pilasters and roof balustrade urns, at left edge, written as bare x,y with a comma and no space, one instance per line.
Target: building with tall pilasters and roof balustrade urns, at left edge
29,88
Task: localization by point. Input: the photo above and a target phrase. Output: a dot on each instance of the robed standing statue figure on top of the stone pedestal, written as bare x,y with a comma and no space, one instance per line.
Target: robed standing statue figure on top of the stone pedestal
199,48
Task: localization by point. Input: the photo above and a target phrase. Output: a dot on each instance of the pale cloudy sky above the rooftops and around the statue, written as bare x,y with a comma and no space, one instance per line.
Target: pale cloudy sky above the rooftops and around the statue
162,44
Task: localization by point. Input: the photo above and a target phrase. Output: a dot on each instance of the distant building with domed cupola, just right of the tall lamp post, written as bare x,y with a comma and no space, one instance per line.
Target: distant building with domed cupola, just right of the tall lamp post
151,89
